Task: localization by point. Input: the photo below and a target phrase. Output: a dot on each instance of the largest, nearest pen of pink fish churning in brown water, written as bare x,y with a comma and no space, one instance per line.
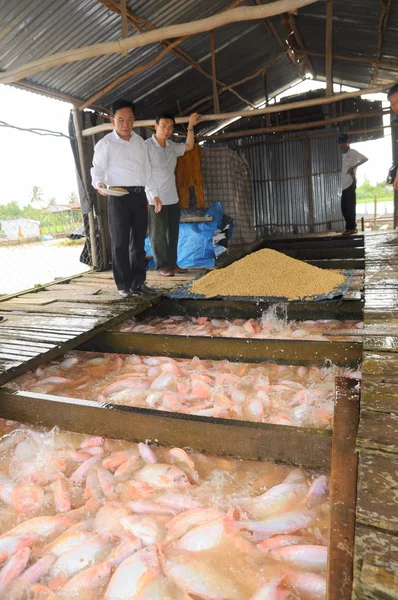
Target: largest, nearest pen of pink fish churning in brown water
87,517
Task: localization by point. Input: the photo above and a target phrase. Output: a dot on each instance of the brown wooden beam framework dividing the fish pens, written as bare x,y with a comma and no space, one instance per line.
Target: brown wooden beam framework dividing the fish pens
330,451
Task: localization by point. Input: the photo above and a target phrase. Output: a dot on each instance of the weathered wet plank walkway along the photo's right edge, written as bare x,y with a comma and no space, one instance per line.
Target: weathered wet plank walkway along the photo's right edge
376,548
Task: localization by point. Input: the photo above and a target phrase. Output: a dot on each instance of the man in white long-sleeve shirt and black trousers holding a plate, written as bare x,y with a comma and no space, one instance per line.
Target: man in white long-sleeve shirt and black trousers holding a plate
121,160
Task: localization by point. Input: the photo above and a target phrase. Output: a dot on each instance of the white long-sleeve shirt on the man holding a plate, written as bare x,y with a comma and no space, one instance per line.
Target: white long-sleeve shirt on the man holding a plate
118,162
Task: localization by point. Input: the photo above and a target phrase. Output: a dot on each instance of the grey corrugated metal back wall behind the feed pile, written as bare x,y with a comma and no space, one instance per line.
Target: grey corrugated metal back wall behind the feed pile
296,181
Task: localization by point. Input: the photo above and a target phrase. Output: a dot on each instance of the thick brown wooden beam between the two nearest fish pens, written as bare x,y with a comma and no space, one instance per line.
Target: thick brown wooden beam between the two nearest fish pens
256,441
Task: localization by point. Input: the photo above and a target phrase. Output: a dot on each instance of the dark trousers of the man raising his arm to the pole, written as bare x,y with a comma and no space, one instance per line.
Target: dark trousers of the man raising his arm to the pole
163,231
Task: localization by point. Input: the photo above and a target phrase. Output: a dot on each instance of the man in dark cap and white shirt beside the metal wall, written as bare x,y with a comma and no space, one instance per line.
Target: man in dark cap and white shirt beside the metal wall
351,160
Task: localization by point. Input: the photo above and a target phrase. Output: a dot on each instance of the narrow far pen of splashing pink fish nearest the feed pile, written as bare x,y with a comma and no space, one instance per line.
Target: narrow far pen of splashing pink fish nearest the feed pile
245,328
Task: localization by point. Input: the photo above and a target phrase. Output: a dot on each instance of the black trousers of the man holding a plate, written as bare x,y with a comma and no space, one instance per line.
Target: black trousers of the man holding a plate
128,223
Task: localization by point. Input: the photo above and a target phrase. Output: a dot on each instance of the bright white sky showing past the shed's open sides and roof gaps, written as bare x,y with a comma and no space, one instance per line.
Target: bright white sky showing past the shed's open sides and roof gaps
27,159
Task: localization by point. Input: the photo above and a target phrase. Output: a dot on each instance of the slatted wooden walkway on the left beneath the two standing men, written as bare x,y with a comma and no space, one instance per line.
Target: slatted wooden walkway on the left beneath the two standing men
39,325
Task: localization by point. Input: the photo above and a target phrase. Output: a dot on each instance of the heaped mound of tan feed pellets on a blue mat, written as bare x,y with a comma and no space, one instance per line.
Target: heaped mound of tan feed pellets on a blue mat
268,273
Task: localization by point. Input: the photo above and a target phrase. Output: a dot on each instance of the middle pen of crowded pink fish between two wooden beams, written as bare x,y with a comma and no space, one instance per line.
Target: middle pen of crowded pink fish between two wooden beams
268,393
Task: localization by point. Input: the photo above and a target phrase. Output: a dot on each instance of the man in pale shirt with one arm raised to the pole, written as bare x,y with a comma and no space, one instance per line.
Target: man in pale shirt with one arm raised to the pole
164,225
